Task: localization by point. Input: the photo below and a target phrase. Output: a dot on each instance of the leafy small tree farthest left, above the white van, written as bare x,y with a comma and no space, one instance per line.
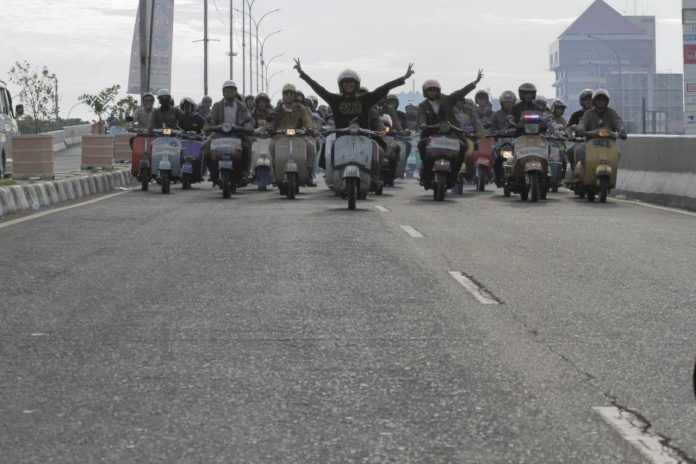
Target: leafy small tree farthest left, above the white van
37,92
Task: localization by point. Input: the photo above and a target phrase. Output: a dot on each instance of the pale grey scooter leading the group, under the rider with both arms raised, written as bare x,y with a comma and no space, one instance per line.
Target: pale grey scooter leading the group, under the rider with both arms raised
353,162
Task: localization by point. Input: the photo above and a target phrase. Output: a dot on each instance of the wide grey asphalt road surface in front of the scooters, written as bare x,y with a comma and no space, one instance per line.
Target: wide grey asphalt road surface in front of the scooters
188,328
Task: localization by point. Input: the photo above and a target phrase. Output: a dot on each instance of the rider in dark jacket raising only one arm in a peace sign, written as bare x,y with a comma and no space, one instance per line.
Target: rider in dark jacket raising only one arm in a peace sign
435,108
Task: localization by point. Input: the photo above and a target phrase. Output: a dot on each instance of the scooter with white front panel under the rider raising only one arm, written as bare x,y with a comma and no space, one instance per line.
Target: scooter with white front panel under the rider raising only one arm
441,151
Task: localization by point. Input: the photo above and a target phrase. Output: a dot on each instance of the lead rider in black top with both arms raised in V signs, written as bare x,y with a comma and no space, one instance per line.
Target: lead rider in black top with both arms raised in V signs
348,105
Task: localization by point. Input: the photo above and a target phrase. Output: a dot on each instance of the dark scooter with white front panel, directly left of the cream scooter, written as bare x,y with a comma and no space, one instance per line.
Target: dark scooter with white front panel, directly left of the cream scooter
226,157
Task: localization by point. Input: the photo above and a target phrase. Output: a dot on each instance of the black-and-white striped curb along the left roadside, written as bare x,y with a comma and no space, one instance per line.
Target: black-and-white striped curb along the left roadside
18,198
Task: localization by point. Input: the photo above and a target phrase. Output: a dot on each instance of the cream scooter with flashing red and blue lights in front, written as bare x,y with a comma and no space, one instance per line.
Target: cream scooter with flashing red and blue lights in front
526,172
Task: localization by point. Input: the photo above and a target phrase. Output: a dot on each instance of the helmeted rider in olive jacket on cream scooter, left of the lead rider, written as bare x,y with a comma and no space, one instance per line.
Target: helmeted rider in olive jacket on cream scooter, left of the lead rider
294,115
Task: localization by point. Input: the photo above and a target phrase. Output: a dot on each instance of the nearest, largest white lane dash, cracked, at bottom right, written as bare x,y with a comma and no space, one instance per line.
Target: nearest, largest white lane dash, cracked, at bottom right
631,429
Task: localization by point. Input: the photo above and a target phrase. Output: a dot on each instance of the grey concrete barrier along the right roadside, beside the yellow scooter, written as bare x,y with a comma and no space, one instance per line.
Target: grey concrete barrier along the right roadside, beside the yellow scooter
658,169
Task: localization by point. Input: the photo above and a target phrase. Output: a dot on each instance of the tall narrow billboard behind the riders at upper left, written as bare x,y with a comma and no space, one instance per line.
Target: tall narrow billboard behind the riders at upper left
162,38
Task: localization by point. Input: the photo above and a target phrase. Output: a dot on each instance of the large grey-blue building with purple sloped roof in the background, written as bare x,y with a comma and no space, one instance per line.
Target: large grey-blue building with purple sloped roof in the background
603,48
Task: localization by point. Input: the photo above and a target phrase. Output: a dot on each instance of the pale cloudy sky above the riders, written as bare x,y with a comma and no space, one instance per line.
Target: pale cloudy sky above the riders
87,43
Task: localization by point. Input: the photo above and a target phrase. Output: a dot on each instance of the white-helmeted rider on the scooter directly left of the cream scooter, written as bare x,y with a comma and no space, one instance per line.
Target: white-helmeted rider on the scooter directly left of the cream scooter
232,110
